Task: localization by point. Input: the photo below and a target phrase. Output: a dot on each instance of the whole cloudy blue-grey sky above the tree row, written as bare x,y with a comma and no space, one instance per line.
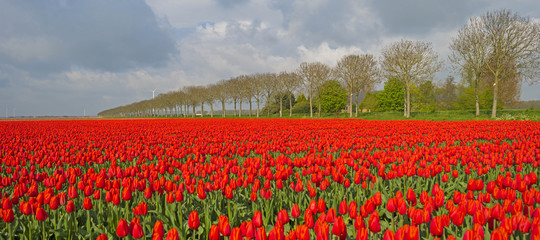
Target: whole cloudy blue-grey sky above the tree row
62,57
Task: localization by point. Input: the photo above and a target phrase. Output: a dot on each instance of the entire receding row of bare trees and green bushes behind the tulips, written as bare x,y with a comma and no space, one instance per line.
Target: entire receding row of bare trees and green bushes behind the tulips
492,53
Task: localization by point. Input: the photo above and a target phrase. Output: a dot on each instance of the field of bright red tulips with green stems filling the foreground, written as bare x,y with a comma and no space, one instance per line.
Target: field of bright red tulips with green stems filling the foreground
269,179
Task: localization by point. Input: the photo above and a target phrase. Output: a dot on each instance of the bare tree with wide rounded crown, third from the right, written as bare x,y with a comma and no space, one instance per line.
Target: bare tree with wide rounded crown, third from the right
411,62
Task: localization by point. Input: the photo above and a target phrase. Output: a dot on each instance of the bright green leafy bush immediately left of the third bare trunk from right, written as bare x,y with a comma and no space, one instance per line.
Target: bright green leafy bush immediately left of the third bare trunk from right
391,98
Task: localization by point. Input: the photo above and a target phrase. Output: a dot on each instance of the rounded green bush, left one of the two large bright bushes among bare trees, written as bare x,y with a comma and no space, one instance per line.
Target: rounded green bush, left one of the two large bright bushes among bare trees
333,97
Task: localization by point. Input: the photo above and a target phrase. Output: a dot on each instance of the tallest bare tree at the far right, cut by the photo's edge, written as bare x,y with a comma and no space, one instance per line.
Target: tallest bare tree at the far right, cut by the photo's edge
512,40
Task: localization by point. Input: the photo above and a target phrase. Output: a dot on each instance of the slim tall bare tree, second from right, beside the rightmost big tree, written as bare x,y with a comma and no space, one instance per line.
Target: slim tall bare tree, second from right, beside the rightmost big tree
470,53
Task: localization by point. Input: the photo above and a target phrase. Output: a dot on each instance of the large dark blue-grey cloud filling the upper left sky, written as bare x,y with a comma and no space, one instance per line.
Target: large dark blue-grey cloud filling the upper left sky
44,37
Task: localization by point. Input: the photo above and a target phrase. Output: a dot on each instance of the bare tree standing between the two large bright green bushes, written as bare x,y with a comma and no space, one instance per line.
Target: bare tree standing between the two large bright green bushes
357,73
